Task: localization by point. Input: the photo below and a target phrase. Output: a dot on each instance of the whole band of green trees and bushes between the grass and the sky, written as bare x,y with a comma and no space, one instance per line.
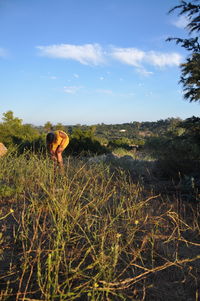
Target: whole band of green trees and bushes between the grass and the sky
173,142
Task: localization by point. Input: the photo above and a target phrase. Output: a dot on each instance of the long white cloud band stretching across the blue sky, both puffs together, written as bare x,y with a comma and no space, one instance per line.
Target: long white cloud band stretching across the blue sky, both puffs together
95,54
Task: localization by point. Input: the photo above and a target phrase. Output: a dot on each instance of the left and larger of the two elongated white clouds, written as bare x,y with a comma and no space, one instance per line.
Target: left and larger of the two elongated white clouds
88,54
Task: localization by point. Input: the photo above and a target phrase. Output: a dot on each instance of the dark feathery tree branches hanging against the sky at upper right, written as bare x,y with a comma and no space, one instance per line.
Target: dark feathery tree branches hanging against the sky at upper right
190,70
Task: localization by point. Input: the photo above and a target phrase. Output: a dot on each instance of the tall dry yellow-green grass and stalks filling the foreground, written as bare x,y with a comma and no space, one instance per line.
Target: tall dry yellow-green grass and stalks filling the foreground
94,234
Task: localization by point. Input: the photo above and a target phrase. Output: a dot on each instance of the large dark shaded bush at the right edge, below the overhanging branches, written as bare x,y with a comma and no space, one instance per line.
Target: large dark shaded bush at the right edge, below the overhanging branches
178,153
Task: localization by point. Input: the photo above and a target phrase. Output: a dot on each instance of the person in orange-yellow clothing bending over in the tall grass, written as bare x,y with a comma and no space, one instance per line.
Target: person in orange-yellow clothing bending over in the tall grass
56,143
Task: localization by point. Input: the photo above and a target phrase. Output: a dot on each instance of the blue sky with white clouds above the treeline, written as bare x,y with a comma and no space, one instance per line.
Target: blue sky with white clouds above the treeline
91,61
